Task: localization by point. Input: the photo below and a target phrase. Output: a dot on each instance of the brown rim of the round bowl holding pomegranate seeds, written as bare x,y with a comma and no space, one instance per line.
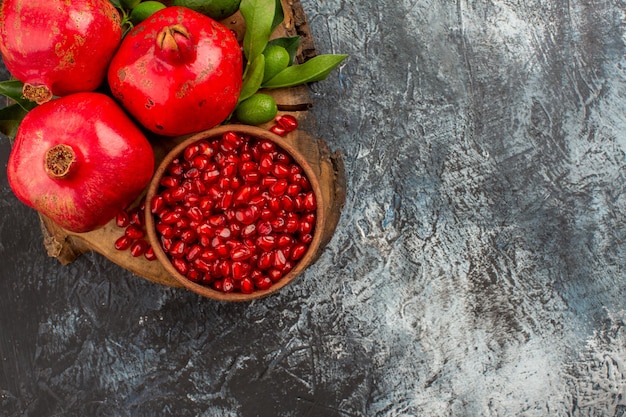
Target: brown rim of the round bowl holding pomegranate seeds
204,290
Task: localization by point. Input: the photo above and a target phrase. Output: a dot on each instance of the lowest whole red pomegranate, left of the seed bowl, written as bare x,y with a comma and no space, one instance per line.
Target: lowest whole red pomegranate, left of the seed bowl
79,160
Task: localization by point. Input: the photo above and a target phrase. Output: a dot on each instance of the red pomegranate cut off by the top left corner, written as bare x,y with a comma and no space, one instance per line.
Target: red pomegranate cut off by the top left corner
58,47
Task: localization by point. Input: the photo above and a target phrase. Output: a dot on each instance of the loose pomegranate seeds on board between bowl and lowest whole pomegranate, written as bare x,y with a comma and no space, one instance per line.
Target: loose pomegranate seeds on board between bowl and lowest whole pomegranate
134,238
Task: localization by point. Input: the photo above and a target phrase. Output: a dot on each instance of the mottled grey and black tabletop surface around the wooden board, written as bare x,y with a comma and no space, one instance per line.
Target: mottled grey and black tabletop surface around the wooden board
478,268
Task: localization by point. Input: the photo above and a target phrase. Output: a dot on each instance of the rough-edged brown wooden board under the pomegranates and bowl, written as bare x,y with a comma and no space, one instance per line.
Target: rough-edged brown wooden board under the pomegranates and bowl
68,246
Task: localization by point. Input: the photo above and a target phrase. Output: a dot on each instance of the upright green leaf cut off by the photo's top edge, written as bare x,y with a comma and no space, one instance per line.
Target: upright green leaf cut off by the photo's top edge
259,17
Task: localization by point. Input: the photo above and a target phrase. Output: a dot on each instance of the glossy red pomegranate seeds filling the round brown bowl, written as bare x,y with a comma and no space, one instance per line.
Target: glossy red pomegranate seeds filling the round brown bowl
235,213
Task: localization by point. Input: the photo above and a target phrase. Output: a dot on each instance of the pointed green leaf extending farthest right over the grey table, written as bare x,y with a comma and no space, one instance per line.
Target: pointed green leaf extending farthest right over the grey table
315,69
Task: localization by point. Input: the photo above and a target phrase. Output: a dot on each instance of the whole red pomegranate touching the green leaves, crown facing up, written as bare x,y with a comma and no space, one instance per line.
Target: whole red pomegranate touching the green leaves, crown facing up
178,72
